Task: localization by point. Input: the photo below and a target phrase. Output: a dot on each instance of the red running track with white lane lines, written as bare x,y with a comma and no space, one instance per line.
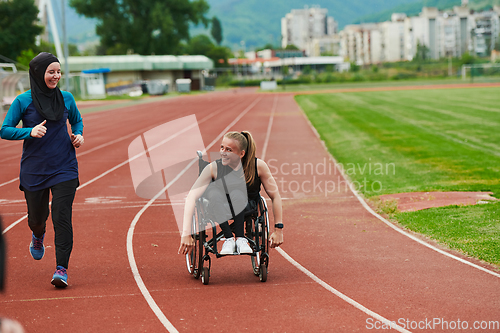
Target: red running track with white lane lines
349,251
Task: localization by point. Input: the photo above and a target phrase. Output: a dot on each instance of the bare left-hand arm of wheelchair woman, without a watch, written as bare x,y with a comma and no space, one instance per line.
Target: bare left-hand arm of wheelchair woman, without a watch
196,192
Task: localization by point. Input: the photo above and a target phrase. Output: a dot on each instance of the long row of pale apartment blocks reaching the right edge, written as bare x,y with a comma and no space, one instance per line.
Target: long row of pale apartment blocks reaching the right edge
443,33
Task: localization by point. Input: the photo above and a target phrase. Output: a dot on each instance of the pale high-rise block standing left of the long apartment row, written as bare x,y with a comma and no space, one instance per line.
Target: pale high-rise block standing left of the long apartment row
301,26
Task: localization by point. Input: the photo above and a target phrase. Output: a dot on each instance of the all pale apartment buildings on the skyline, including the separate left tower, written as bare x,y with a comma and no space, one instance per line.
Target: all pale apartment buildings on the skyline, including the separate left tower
448,33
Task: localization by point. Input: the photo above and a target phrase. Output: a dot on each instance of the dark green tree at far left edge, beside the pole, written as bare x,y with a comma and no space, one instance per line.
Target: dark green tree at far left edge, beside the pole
18,28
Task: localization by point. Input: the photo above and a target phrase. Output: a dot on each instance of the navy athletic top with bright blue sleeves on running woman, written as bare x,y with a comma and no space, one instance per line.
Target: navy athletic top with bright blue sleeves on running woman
49,160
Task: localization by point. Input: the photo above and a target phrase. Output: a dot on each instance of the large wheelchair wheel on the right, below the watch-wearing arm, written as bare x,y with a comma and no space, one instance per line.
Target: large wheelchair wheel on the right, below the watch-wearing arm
261,238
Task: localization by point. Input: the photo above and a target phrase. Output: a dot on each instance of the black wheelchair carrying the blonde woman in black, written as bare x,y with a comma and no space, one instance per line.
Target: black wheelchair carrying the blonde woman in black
206,237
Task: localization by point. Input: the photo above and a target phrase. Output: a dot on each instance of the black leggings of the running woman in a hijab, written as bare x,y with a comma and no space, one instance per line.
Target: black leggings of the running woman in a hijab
63,195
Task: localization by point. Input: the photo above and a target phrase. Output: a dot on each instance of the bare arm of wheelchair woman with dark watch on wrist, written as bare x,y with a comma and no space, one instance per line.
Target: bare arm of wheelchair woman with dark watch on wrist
272,191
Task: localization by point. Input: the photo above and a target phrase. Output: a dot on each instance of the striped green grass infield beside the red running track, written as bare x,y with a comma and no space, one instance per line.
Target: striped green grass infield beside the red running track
421,140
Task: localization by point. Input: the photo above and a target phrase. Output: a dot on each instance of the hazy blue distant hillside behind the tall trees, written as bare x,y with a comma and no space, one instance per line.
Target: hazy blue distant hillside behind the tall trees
257,22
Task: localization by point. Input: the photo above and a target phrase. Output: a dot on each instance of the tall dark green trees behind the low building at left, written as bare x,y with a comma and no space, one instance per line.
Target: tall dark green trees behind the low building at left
124,26
